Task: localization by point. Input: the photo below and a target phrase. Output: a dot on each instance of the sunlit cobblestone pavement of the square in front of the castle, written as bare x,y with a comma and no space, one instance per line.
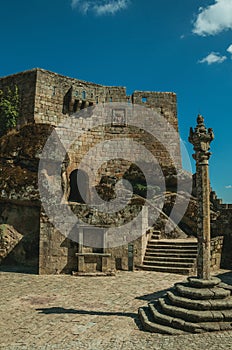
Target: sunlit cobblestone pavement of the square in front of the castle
66,312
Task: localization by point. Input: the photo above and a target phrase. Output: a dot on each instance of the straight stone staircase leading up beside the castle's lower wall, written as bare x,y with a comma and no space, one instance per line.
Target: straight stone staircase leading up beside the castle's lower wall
170,255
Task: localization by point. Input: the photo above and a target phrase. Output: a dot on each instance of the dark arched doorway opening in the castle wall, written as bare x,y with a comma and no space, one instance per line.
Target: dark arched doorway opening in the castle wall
79,181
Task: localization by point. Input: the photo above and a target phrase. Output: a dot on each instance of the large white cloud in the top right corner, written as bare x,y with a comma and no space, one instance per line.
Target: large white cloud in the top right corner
214,19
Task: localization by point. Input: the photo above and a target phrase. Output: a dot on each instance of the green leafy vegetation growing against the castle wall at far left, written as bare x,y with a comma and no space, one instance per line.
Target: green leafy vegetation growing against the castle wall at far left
9,109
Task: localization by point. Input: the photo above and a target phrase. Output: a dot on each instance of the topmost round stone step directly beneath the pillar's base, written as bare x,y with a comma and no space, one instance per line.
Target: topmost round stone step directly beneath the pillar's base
201,293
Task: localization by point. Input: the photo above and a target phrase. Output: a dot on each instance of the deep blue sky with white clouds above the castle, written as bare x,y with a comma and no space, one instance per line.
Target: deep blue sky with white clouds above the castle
158,45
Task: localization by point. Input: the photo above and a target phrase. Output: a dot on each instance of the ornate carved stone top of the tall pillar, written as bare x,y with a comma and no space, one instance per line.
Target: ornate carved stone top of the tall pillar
201,138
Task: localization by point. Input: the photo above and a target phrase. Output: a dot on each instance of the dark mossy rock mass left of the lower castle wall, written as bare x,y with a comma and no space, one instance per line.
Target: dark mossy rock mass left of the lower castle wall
19,196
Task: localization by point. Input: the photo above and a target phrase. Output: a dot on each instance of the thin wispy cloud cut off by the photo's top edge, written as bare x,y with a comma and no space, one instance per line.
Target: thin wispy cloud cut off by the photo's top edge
100,7
